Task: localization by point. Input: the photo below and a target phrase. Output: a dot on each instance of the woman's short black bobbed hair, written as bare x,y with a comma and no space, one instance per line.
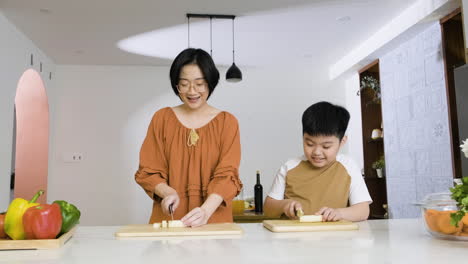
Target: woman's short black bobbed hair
204,62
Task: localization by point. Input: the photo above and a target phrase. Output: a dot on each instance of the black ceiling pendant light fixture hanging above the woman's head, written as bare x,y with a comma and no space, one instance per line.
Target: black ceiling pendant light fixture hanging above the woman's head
233,74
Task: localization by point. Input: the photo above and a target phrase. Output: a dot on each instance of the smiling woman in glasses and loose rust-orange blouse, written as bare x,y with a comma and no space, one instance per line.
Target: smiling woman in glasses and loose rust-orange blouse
190,157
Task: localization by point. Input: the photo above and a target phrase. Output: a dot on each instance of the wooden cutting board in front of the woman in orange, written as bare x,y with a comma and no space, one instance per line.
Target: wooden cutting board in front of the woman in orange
206,230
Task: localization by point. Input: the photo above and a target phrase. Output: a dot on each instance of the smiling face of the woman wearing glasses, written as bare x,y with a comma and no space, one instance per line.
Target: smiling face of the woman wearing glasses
192,87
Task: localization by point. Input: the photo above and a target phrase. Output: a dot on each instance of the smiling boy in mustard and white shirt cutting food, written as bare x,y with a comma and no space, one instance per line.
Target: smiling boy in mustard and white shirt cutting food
321,182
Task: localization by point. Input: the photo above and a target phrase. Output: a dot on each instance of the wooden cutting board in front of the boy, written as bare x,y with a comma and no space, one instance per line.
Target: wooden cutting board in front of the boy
296,226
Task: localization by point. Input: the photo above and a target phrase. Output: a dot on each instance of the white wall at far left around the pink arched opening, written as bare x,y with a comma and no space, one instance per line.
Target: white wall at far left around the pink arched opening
15,52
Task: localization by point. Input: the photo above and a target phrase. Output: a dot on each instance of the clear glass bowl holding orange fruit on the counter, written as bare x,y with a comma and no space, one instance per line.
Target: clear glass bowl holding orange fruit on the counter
436,209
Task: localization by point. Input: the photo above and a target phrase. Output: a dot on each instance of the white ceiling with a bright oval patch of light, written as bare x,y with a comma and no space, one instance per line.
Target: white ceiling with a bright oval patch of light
267,32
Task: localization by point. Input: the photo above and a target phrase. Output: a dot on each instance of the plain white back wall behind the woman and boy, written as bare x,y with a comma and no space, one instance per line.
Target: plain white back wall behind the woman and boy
103,112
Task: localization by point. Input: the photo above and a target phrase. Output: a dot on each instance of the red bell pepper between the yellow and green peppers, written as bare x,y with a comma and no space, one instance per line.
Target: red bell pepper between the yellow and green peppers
42,221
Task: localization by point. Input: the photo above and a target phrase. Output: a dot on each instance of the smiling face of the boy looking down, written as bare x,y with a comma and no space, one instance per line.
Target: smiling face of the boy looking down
321,151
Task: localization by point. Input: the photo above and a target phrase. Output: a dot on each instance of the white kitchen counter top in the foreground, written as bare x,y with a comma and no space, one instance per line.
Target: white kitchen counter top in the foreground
377,241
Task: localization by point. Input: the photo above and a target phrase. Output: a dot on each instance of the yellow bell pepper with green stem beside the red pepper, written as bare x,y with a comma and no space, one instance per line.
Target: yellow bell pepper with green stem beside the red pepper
14,216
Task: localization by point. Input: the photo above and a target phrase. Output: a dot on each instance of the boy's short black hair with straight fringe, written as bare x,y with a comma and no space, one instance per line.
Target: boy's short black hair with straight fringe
325,119
